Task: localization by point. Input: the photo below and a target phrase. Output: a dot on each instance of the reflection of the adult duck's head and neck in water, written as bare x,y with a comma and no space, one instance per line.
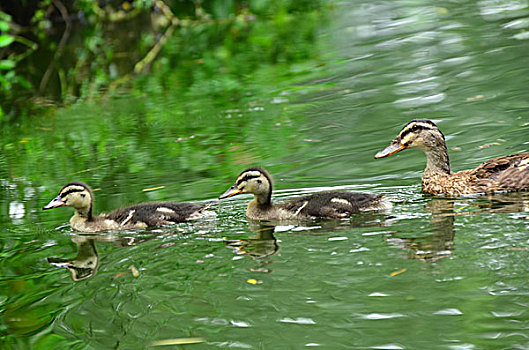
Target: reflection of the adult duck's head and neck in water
441,243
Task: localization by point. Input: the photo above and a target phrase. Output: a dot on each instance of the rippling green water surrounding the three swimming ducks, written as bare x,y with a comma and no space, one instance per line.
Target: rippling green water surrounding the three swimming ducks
433,273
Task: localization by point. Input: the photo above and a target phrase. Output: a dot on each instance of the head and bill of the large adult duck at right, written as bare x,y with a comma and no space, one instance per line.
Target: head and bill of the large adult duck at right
421,134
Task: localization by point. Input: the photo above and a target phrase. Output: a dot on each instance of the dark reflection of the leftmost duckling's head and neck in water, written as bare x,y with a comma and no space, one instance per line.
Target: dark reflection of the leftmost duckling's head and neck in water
85,264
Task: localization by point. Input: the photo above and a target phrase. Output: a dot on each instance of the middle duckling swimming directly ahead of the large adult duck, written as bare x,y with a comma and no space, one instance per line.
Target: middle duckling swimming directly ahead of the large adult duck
258,182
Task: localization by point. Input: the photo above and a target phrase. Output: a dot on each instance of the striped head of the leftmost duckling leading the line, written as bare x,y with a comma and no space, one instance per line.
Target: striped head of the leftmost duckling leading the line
75,194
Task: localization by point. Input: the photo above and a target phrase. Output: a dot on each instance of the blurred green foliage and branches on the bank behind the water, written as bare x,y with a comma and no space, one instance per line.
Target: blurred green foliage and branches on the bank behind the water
224,39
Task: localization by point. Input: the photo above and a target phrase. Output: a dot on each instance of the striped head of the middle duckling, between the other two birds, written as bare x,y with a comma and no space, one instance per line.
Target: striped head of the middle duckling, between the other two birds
253,180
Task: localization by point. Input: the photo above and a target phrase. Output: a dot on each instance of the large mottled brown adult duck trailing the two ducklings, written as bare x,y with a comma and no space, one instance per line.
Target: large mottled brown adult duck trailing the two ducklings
500,174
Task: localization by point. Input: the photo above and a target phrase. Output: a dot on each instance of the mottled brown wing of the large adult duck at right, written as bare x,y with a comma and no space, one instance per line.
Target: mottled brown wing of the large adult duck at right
510,173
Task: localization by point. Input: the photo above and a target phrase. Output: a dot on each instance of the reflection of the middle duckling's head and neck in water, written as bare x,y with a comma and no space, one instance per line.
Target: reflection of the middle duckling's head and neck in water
262,245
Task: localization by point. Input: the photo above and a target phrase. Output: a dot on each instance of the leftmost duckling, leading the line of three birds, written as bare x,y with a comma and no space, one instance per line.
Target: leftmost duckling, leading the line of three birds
79,196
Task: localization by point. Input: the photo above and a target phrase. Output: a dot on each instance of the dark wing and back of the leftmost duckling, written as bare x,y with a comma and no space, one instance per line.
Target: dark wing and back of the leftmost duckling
156,213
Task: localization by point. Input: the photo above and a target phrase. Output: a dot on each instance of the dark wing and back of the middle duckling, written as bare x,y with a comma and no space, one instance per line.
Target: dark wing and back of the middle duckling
332,204
